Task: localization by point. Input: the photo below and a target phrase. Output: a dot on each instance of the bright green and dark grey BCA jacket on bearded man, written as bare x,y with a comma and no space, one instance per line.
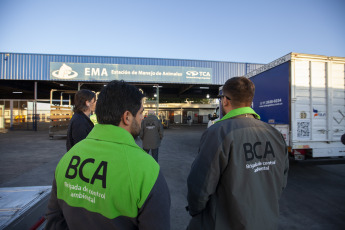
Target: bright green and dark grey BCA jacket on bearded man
106,181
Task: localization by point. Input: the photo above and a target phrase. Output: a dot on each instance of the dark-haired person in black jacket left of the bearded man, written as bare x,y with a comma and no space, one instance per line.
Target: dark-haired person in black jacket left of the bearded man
80,124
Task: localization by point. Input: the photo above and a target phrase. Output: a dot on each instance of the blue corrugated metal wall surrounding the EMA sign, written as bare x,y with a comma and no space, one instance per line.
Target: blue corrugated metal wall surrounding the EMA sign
15,66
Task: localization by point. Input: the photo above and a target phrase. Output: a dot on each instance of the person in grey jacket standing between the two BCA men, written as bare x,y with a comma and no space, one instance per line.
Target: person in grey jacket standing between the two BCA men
151,134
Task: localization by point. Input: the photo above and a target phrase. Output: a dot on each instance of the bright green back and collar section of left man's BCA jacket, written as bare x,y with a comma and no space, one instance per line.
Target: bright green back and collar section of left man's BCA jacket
106,173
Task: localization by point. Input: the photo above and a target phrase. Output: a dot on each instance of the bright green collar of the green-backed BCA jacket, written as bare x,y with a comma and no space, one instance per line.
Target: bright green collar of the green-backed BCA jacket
111,133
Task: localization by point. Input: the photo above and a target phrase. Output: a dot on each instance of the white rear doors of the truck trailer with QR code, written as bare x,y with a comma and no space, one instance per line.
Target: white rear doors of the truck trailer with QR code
319,106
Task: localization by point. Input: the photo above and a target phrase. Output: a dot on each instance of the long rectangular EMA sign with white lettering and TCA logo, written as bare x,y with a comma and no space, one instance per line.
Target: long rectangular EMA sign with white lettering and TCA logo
130,73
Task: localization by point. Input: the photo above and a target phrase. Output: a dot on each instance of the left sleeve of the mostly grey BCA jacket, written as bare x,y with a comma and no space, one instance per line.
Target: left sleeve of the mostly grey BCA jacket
206,170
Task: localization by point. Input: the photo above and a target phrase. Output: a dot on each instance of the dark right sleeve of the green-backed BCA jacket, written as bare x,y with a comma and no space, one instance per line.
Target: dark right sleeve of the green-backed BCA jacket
155,213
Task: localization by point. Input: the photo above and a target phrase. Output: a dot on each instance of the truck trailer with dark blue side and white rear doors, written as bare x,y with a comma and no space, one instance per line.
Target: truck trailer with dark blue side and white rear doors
303,96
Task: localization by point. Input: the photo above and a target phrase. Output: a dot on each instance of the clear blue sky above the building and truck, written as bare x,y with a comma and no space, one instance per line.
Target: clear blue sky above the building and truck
250,31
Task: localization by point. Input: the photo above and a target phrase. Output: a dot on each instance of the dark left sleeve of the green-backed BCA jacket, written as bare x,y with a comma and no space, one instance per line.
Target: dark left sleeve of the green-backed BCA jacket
54,215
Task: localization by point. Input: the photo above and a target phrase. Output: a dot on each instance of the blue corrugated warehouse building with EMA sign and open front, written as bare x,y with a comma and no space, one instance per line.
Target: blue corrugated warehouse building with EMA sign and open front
31,83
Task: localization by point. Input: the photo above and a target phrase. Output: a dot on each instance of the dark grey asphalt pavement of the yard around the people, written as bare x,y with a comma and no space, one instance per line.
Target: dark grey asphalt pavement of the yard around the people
313,199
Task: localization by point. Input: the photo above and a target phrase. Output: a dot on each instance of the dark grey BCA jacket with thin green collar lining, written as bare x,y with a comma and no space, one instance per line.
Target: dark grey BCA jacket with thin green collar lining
238,175
